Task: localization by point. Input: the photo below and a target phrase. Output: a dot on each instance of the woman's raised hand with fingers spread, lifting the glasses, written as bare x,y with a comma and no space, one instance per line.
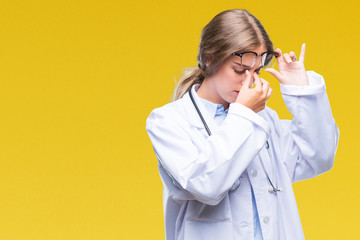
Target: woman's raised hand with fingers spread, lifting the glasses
291,72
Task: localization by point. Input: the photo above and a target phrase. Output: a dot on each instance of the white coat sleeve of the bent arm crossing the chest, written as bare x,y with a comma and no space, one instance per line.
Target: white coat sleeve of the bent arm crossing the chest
209,173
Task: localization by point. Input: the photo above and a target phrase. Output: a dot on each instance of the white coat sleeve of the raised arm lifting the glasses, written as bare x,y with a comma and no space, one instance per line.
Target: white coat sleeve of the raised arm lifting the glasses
309,141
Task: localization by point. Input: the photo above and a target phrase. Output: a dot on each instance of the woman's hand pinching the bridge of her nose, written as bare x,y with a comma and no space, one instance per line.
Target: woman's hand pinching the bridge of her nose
254,98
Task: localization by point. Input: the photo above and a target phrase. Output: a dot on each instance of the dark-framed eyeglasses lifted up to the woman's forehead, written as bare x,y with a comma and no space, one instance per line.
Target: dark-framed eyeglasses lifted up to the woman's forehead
249,59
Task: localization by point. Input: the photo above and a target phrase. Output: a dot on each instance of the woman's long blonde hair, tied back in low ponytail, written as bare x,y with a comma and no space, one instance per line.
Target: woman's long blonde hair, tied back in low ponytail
230,31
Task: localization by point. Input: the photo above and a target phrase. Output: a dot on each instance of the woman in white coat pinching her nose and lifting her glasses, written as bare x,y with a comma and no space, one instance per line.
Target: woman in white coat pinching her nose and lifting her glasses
226,160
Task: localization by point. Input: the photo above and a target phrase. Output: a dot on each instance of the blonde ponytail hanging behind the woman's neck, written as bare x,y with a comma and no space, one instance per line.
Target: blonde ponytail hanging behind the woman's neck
192,76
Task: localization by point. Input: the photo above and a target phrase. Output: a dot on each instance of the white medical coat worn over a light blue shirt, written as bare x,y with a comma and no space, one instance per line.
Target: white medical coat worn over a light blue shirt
207,180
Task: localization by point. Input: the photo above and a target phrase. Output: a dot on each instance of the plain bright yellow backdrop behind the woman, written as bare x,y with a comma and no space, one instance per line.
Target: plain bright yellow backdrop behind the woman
79,78
